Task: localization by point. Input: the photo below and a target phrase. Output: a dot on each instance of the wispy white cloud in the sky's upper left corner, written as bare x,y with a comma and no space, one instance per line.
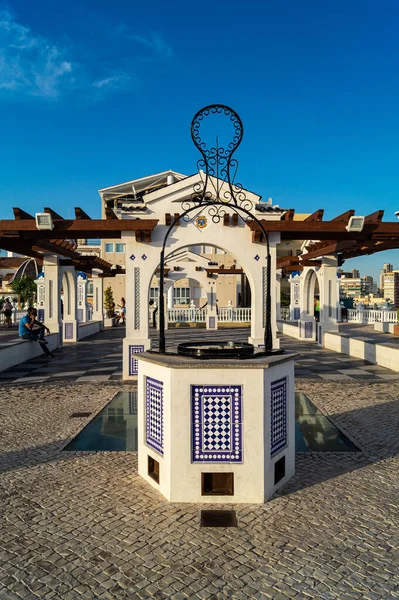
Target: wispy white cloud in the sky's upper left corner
29,63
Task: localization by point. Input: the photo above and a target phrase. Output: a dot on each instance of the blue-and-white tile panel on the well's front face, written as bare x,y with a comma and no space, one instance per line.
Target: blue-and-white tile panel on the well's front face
216,423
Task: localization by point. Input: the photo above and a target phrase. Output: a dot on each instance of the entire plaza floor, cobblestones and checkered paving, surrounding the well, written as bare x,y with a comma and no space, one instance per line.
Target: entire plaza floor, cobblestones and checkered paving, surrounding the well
84,526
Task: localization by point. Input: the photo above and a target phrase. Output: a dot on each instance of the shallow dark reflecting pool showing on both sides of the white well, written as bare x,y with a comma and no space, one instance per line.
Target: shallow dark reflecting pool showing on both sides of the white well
115,428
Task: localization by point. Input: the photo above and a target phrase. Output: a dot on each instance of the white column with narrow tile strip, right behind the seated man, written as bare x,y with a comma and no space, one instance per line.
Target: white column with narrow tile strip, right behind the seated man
52,293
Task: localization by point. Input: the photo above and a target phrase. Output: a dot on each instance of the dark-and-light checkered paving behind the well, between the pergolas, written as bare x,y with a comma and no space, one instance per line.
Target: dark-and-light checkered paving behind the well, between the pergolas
99,358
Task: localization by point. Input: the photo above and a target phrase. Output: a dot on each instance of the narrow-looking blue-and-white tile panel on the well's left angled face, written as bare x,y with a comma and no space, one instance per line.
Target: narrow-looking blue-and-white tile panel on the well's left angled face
154,414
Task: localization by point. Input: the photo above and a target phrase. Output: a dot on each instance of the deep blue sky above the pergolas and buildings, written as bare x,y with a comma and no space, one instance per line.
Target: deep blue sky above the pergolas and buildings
95,93
